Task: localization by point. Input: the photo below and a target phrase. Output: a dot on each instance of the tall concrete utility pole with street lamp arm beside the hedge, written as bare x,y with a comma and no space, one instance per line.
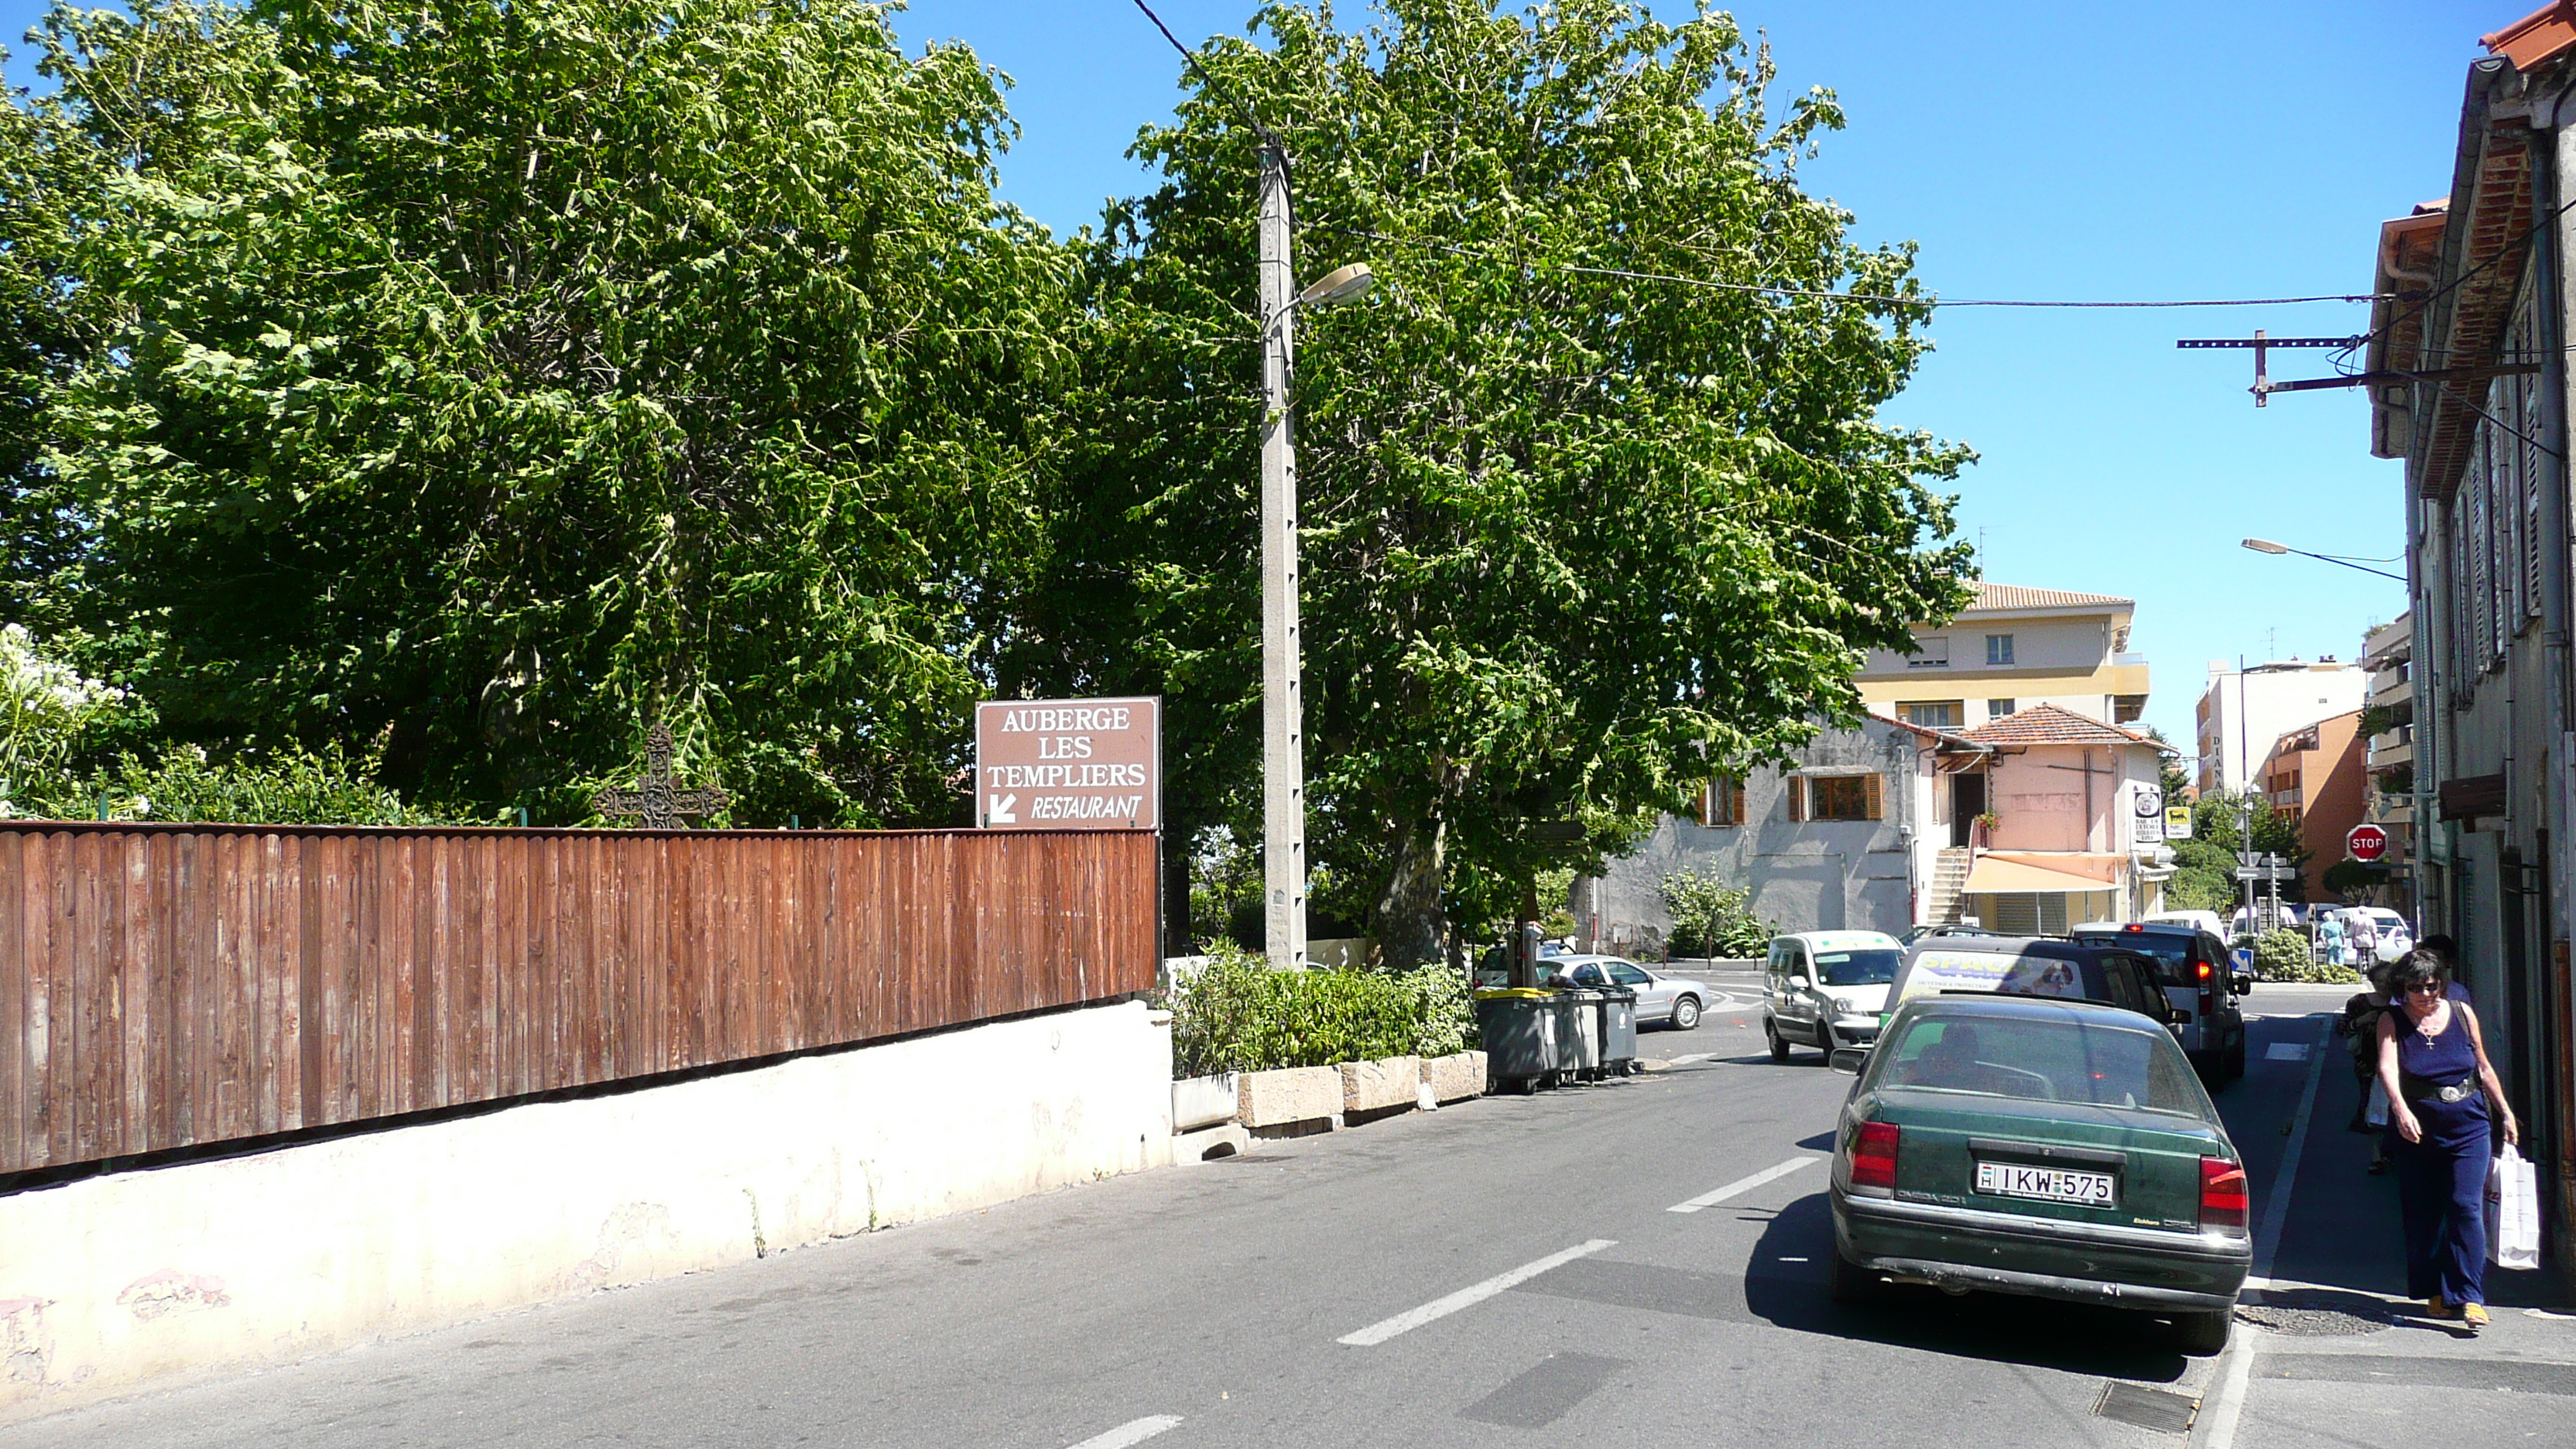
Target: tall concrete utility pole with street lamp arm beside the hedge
1284,710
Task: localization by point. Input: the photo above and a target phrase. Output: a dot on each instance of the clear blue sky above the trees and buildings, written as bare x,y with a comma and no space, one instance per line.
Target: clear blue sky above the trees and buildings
2036,151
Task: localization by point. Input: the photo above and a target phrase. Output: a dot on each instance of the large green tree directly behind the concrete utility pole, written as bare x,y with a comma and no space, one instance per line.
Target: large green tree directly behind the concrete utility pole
1575,540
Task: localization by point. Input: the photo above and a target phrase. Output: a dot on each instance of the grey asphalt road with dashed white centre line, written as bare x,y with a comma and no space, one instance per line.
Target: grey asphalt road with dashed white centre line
1501,1272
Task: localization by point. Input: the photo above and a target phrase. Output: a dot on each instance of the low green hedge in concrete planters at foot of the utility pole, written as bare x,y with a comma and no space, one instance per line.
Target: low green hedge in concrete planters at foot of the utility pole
1243,1017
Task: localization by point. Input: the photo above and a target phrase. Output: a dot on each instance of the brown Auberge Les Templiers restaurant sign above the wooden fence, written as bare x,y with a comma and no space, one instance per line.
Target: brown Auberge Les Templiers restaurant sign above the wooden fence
1068,764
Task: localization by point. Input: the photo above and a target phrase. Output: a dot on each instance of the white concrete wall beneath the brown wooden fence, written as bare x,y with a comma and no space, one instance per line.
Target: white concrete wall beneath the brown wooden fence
146,1280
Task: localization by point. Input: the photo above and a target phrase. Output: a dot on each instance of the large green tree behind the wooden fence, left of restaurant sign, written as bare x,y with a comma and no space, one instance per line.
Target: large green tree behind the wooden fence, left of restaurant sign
509,375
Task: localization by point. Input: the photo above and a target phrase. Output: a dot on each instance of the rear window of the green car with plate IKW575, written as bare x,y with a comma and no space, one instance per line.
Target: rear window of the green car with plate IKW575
2039,1061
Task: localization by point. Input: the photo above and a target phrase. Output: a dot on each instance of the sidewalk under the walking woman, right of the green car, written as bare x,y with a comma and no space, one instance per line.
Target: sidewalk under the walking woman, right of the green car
2333,1352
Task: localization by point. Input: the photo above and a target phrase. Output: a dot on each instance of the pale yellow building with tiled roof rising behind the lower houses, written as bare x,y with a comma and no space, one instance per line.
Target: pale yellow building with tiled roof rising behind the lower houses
2008,651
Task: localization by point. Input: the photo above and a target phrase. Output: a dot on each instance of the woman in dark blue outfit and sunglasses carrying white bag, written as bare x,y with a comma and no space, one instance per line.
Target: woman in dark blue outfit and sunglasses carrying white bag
2441,1084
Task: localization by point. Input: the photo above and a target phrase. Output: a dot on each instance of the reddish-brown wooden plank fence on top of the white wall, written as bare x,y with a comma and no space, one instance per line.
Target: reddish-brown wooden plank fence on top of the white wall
166,986
